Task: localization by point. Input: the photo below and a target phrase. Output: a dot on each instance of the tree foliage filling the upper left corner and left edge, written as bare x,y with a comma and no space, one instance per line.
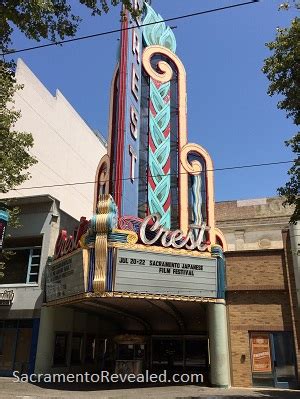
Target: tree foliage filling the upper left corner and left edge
36,19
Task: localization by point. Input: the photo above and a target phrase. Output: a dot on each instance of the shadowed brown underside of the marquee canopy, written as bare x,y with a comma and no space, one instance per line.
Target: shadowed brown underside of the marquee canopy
146,315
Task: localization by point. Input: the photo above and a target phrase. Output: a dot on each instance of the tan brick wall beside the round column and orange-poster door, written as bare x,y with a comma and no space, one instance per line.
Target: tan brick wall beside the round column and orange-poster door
257,300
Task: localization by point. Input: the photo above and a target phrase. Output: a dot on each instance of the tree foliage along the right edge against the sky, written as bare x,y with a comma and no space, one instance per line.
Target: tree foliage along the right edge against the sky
282,69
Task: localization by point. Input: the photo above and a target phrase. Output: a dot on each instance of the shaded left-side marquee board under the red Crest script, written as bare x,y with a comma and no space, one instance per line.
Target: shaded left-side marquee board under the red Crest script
66,276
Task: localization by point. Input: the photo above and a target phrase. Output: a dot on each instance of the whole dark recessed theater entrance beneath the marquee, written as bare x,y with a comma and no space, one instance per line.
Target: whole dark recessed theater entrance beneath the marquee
138,335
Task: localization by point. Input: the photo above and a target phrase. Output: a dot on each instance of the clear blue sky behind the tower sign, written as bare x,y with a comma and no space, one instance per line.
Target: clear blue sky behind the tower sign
229,111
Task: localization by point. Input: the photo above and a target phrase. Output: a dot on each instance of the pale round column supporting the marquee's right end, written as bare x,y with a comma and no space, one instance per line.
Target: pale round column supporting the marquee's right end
218,345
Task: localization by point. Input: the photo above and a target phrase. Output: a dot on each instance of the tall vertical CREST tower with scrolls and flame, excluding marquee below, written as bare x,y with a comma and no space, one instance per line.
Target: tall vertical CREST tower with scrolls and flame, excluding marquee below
150,167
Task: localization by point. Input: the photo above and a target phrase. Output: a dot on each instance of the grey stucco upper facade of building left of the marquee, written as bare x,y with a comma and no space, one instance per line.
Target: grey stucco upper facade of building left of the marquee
39,216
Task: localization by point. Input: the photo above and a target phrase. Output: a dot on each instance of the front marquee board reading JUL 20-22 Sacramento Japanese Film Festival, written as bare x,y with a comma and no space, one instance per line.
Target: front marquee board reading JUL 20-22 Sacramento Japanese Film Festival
160,273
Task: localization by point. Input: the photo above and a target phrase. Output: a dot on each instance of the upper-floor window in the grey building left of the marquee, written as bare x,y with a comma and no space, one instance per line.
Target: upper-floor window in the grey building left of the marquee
23,266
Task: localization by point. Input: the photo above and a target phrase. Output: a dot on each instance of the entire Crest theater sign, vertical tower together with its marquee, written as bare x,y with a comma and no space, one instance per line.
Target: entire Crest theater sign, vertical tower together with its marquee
153,231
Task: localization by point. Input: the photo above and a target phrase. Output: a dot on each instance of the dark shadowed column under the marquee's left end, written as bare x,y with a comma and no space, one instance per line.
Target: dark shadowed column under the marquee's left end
44,353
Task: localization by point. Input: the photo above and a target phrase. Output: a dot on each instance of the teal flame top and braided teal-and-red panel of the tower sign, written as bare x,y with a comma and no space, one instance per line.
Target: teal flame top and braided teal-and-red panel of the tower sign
159,181
